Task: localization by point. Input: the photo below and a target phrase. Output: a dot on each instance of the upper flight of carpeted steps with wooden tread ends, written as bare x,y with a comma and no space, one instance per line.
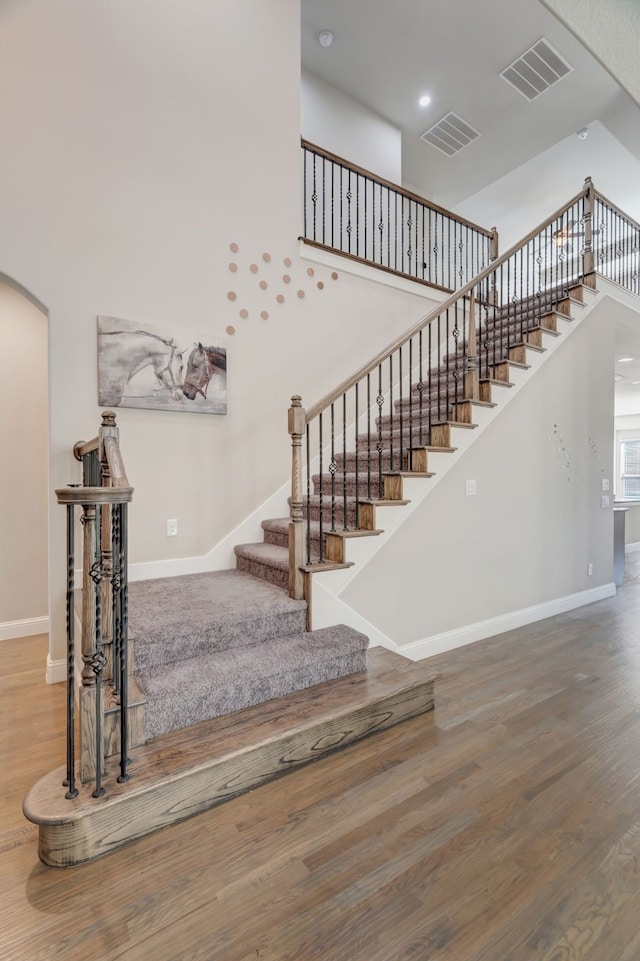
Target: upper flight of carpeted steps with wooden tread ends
366,479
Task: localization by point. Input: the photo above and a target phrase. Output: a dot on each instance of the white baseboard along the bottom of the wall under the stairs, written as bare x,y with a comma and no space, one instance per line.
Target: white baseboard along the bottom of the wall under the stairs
460,637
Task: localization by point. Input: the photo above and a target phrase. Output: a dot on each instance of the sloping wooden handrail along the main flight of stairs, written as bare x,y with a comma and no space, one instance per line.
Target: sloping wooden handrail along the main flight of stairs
383,355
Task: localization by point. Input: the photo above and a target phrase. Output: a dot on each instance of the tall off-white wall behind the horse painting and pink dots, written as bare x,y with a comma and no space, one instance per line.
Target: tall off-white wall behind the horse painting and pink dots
140,141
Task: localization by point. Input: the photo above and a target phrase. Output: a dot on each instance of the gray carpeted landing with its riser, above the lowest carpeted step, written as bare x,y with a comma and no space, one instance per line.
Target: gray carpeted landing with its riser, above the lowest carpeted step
174,618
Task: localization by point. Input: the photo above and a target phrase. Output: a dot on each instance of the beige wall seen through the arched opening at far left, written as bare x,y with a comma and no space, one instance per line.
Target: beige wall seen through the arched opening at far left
24,475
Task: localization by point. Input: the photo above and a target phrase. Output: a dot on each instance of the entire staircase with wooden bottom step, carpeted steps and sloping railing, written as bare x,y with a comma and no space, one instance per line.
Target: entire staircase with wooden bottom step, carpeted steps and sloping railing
230,684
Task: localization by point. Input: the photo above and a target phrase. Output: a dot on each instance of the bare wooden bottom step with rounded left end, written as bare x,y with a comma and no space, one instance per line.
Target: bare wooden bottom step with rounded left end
192,770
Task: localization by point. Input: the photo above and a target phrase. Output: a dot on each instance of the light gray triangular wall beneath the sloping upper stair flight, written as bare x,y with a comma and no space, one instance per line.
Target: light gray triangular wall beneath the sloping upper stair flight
536,522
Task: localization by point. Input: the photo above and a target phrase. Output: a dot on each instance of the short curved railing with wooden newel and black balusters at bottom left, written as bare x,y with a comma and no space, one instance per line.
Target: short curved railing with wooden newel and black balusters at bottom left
102,498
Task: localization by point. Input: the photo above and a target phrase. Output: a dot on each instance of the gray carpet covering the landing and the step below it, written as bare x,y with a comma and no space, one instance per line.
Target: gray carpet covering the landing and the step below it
210,644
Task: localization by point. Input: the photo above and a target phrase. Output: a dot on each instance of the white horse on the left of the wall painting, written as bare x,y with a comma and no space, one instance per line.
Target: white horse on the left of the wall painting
122,353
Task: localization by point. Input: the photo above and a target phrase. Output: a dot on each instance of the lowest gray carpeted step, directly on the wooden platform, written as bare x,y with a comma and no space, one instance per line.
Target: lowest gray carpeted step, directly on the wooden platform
210,686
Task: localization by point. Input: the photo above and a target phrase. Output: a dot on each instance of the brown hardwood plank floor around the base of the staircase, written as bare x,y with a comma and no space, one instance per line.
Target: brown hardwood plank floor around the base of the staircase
504,826
